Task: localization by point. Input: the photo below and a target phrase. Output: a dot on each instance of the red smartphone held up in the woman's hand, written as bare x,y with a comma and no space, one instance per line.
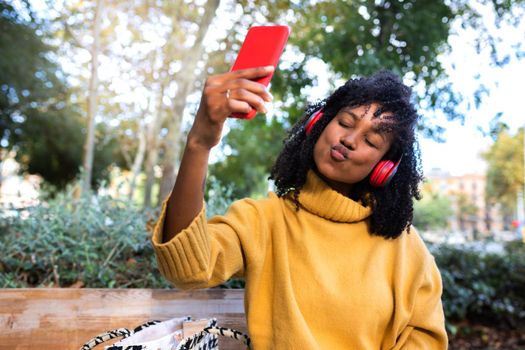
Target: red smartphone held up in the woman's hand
262,46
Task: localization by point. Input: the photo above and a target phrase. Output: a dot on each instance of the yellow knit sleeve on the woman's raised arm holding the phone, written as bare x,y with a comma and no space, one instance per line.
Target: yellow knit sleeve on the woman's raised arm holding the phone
206,254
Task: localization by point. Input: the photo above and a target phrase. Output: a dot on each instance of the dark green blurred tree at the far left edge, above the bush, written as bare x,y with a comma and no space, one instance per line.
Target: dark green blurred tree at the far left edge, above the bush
39,118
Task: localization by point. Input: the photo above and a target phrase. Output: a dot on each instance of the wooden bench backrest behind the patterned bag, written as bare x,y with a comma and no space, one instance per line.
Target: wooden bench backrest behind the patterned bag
63,318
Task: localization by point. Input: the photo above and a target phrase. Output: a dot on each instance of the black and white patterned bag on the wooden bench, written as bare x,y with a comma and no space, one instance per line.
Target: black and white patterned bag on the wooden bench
166,335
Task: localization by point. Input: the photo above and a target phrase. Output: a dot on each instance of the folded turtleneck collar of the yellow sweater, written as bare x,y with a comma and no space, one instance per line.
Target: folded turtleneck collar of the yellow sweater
320,199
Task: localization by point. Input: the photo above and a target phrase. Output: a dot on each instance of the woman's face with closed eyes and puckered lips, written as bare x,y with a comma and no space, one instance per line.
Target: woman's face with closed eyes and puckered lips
351,145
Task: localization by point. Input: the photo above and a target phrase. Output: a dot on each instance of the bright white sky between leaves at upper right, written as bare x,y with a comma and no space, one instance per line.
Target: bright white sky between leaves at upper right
460,153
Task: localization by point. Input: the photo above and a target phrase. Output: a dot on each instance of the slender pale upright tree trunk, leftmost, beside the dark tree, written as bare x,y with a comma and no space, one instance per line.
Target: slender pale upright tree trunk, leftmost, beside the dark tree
89,145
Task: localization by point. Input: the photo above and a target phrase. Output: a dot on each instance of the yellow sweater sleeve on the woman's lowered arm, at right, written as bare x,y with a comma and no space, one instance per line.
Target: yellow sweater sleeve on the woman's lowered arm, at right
426,327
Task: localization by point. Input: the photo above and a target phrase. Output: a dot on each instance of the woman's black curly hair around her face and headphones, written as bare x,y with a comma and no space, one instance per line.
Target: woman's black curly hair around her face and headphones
392,205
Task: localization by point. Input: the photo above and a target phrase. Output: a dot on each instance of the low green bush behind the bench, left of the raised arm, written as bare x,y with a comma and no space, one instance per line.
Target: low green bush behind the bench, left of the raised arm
95,241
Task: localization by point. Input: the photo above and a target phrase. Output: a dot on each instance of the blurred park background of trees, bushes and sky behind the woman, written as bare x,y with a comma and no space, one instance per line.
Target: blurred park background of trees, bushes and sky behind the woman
97,97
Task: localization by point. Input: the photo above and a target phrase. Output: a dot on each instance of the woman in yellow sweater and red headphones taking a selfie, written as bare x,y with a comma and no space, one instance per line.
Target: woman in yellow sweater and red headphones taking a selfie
330,260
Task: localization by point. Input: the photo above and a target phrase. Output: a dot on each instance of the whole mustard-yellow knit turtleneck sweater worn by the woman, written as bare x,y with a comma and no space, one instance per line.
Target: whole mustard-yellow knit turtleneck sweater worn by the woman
315,278
